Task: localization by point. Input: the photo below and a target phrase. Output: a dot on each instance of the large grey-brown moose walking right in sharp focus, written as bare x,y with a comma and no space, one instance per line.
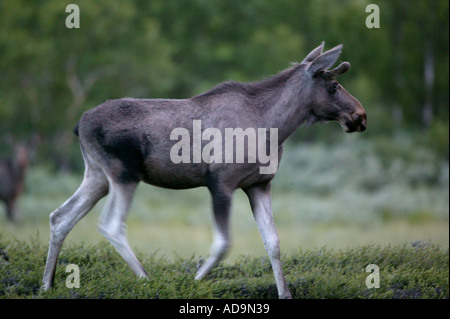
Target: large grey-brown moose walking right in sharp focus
126,141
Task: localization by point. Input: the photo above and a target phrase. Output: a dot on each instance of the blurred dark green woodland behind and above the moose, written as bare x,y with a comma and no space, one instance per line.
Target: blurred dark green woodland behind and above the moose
175,49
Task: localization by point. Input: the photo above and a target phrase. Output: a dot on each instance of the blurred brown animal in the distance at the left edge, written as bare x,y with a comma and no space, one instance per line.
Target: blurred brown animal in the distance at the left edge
12,176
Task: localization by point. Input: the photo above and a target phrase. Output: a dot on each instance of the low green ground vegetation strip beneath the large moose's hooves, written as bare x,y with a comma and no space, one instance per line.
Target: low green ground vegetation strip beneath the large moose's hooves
413,271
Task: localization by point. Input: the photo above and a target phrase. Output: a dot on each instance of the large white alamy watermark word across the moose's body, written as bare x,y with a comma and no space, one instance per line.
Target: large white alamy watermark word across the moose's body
230,148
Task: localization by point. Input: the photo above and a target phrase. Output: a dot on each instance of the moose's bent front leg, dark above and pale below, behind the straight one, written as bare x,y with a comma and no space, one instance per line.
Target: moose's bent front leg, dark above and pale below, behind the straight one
221,241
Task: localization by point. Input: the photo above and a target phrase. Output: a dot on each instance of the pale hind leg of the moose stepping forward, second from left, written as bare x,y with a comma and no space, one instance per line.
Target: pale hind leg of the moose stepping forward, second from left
112,223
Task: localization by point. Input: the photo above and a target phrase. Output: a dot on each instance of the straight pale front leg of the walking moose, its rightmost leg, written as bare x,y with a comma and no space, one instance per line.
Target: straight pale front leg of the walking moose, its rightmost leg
260,202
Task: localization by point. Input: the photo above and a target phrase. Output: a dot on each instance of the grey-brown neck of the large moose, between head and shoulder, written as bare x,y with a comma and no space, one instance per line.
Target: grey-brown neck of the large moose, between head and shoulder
286,105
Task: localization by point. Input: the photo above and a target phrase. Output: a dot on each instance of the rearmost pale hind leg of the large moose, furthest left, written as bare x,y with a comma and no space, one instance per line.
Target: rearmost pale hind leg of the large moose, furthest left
63,219
